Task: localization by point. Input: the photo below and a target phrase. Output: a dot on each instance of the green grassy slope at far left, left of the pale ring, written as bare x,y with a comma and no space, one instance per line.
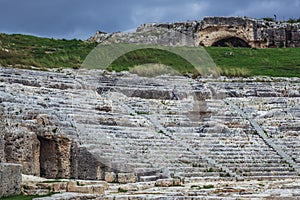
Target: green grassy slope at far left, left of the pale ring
24,51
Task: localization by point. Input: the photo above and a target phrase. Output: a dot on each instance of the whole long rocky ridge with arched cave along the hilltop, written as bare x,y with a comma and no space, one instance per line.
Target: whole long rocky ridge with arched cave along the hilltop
212,31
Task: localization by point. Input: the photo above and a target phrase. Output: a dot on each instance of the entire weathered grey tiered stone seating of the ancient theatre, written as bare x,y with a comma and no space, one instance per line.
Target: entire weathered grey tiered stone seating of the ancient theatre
123,125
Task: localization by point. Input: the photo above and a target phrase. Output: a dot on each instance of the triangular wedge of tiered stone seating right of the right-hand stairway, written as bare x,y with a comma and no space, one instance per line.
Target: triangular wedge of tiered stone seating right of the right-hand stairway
279,117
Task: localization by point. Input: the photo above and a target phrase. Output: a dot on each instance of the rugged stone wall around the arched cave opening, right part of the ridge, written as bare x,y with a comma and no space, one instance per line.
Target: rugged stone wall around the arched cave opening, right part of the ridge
257,33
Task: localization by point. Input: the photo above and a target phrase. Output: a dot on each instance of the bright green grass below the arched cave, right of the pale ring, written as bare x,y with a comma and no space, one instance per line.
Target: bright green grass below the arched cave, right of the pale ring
275,62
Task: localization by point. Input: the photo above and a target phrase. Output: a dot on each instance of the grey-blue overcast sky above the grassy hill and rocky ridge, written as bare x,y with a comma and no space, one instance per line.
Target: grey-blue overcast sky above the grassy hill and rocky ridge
82,18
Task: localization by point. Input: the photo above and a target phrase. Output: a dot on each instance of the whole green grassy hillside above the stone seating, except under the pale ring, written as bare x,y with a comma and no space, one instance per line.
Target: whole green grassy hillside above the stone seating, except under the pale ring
24,51
